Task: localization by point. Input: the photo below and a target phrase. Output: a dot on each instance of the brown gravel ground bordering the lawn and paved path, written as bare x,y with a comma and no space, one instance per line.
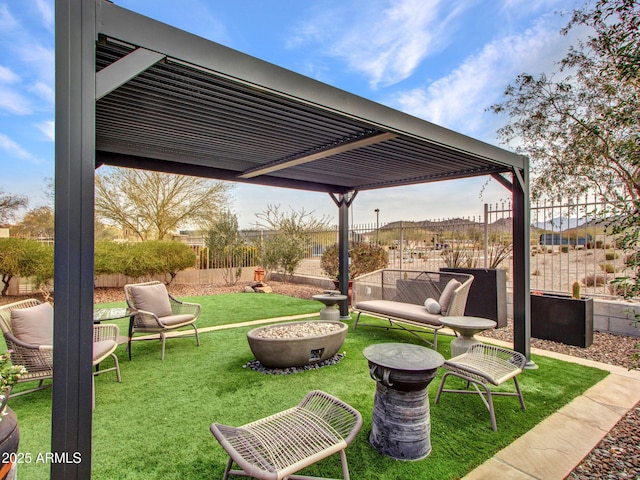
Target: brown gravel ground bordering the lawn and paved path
617,456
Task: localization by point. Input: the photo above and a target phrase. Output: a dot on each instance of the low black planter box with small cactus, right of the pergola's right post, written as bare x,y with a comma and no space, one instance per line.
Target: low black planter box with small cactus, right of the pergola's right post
563,319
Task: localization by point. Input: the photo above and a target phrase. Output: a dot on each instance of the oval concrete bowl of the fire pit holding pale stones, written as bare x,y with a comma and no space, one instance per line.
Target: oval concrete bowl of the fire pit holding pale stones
295,352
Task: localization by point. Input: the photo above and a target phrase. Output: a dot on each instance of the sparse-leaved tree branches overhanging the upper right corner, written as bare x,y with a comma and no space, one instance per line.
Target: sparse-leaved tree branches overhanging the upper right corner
580,125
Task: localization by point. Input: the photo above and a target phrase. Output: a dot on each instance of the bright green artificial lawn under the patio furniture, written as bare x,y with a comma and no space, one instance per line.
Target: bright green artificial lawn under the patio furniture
155,424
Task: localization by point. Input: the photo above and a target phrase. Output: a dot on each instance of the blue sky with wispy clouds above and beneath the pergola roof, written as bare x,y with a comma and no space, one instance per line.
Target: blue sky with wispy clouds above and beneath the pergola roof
445,61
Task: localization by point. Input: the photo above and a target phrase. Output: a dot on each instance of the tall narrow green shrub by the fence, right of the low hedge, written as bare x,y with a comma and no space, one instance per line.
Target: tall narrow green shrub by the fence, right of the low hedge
225,244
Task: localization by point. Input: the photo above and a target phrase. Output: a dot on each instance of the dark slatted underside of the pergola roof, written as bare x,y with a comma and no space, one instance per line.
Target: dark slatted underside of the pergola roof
182,113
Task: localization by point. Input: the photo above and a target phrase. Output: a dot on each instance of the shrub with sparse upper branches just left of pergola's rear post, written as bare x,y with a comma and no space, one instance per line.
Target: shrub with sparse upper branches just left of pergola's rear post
290,240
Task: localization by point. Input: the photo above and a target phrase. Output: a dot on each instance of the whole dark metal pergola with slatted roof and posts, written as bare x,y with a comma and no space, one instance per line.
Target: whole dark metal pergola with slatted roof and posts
133,92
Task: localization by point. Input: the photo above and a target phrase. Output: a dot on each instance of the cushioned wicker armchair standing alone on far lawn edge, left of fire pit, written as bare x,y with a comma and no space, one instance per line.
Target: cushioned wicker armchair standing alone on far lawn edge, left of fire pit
158,312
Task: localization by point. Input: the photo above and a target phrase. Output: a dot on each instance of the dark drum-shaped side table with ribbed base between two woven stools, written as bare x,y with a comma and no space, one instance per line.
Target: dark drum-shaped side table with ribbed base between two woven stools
401,423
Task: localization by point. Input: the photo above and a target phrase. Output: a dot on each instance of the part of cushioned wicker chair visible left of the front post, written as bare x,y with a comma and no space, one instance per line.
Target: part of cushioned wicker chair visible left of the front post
24,344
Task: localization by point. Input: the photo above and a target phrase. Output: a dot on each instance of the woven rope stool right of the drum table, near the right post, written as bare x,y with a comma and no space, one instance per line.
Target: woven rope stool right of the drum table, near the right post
483,366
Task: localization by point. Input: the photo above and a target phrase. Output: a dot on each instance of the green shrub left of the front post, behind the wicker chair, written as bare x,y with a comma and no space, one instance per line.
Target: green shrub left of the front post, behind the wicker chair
25,258
